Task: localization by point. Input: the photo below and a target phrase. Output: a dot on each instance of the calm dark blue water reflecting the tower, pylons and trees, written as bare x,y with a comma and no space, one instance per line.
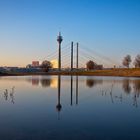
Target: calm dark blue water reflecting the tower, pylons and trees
69,108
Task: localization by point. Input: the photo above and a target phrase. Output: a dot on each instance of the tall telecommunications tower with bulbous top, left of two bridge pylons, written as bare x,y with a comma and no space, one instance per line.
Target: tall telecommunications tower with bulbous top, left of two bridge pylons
59,40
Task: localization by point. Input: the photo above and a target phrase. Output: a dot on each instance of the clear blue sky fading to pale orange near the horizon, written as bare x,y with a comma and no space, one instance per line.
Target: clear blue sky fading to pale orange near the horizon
29,28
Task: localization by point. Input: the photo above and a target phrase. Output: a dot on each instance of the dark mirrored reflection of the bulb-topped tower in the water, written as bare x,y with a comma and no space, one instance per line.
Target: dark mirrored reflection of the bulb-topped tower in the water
58,106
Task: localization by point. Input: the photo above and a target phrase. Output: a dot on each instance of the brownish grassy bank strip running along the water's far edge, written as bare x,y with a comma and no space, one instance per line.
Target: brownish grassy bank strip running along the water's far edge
132,72
